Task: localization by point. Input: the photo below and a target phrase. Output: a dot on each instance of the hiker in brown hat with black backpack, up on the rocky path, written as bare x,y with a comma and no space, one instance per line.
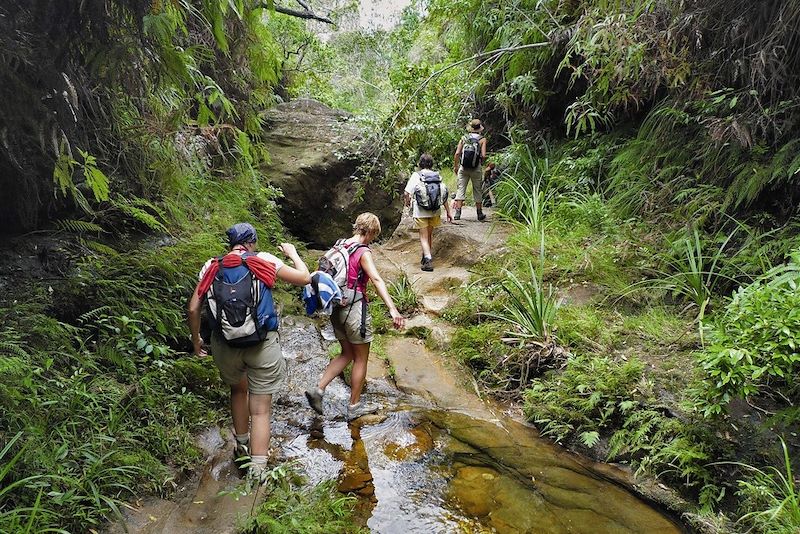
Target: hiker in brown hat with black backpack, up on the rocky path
470,153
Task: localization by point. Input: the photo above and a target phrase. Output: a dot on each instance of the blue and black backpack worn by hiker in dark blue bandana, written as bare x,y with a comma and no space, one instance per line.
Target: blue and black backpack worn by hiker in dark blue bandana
240,306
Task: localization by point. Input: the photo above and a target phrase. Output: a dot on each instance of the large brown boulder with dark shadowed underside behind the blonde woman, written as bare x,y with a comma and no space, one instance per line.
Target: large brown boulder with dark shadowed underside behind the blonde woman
316,161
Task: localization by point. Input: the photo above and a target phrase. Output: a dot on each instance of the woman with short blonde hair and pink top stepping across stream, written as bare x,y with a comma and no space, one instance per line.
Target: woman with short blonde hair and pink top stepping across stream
350,318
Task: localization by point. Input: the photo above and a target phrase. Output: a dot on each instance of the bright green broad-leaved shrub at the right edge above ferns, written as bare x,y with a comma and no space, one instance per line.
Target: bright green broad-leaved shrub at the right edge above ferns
754,341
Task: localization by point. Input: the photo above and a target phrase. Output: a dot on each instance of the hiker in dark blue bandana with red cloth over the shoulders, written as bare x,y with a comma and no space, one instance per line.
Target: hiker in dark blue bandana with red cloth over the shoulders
237,291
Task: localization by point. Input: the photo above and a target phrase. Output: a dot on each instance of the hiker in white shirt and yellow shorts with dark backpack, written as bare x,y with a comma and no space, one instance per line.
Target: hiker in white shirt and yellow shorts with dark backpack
426,193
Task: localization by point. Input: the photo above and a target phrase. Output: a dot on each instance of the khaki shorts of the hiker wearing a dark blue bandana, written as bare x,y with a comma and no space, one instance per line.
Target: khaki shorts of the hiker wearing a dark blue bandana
263,364
